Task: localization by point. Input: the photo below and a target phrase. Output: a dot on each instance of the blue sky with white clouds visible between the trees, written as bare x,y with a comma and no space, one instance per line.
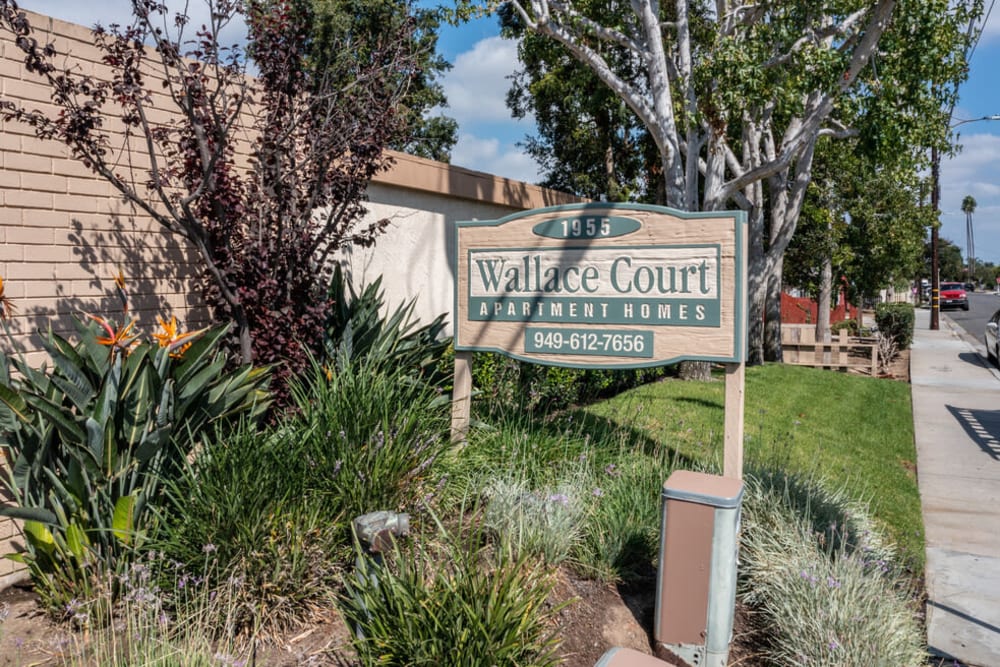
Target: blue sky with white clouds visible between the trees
482,62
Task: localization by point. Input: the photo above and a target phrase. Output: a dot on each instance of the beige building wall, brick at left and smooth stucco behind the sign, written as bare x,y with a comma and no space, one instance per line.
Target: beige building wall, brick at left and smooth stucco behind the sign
64,233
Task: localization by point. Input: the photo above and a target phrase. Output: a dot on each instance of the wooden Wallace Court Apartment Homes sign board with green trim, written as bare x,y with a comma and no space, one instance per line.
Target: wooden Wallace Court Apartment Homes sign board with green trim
603,285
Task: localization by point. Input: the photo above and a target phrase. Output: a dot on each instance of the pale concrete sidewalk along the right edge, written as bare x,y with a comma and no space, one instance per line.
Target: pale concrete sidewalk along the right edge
956,415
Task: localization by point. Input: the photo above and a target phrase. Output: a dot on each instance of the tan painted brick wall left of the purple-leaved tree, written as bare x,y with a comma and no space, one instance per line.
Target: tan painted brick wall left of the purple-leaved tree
65,231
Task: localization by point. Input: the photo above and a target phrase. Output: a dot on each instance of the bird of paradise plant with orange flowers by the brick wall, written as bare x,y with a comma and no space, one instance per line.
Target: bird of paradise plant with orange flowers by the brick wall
88,440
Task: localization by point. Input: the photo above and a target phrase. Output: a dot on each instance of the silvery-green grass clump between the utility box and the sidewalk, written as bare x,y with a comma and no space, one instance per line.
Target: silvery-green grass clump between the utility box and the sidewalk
822,578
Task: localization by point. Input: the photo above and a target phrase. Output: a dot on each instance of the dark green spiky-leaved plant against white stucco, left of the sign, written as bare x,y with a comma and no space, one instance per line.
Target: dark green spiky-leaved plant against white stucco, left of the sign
356,330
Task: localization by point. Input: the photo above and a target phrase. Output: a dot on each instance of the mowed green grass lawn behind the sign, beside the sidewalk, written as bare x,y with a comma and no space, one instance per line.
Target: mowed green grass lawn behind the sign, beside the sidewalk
851,431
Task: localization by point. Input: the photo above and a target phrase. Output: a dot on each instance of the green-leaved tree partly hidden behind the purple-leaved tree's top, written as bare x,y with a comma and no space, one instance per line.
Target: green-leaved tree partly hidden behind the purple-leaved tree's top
367,24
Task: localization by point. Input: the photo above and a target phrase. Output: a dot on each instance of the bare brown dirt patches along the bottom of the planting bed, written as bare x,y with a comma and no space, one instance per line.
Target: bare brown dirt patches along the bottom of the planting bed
598,617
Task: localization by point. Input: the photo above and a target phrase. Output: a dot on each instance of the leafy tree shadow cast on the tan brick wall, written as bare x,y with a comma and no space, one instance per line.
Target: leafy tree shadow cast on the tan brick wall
156,265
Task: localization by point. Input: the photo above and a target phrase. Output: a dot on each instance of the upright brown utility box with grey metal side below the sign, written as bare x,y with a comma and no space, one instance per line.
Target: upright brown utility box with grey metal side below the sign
696,579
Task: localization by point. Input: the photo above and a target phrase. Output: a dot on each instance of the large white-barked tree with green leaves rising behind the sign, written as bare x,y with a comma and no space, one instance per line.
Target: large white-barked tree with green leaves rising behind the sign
735,96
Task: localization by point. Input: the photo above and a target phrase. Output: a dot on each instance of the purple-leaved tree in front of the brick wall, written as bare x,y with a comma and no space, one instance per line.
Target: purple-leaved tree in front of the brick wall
263,230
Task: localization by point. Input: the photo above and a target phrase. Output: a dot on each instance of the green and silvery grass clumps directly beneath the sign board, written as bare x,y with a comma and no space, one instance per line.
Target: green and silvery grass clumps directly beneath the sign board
571,487
